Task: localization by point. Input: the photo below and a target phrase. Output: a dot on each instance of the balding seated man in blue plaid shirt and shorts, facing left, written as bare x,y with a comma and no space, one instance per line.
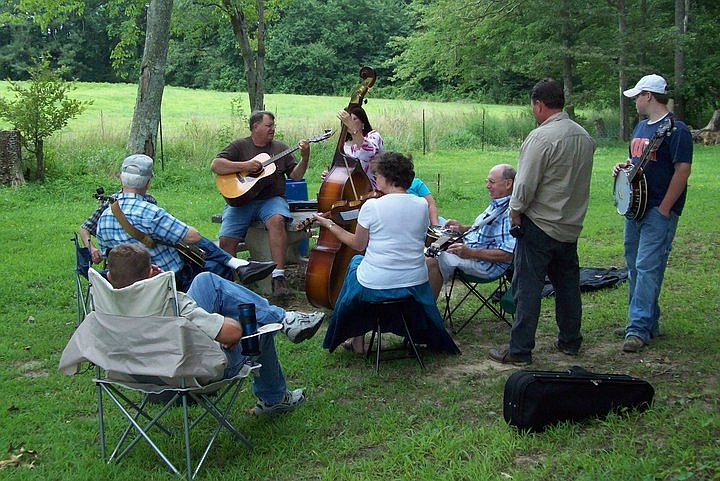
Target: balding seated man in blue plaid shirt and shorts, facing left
483,250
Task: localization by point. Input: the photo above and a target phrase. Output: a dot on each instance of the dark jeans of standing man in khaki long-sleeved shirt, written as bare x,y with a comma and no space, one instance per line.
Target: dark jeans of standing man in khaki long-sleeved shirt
538,254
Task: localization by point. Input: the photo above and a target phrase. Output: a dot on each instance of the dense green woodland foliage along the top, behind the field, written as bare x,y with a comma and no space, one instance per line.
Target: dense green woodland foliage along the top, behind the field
485,50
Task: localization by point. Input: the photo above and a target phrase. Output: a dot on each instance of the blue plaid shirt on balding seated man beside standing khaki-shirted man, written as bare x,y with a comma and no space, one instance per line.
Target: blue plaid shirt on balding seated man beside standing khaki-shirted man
494,235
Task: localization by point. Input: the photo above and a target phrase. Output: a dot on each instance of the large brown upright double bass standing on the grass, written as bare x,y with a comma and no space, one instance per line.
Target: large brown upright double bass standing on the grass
345,181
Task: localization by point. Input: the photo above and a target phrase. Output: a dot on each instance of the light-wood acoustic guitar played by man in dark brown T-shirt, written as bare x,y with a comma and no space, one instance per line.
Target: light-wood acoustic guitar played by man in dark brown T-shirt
239,189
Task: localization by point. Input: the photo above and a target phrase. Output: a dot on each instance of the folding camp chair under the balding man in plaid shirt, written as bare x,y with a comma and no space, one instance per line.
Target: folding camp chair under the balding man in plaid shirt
499,301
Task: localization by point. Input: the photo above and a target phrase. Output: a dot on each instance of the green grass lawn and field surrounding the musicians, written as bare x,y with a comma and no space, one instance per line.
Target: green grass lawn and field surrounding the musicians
442,424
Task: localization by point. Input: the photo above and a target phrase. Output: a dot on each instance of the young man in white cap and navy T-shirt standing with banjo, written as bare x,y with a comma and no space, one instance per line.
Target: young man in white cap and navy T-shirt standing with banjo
649,233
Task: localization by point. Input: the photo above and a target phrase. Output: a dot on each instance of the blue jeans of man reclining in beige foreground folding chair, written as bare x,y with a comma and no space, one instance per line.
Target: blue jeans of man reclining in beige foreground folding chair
220,296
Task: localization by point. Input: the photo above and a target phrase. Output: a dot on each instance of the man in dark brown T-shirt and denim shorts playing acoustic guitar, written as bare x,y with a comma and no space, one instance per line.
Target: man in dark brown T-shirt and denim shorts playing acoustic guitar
265,201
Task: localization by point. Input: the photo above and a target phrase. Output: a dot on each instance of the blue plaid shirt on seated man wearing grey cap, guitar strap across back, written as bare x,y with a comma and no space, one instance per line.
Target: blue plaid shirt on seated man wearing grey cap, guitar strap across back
148,218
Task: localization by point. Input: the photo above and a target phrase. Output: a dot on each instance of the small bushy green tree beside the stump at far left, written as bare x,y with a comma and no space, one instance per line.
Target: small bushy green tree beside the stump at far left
40,109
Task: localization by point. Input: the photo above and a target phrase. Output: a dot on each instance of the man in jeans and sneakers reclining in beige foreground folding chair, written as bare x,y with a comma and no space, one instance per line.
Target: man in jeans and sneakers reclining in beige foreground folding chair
211,303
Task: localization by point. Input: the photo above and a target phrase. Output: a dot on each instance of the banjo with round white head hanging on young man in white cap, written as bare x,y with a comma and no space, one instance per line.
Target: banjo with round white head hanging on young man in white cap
630,189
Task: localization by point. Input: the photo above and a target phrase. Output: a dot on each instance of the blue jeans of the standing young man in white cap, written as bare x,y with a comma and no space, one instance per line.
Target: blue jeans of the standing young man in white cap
647,246
